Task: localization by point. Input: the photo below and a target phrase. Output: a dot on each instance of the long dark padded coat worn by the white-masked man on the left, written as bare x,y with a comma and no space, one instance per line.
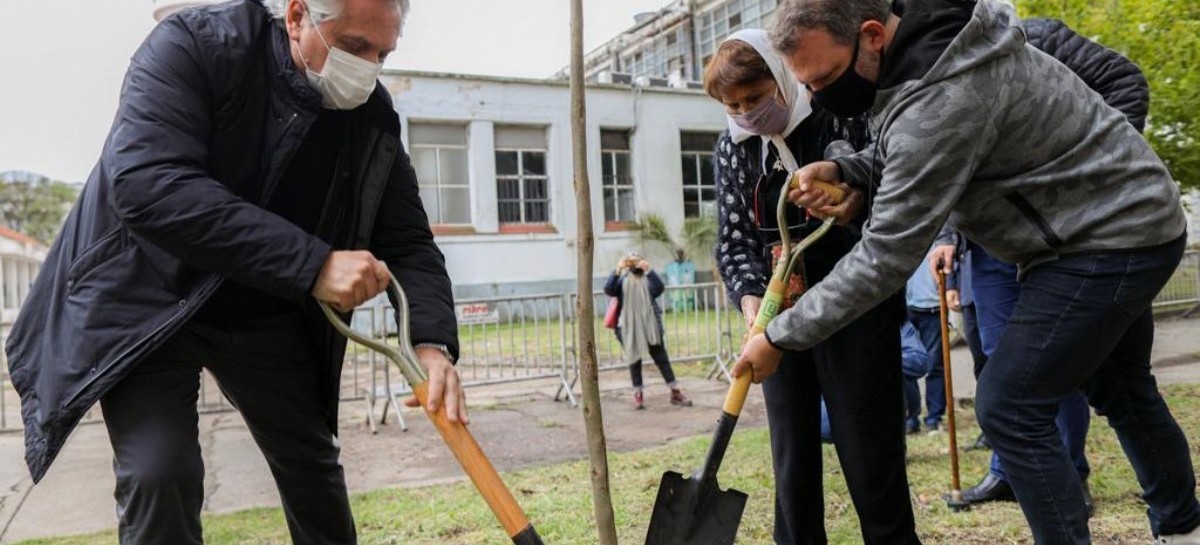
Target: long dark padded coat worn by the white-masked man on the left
212,111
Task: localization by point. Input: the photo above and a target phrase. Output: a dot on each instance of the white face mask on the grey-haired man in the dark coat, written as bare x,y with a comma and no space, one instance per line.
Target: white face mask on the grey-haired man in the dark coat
346,82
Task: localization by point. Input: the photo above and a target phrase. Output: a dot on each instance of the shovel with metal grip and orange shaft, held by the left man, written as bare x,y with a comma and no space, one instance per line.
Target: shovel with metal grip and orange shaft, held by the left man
461,444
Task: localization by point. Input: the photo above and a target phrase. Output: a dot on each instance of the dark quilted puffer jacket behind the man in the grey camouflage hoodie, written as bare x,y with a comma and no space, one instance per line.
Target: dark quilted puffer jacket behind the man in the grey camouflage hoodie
1108,73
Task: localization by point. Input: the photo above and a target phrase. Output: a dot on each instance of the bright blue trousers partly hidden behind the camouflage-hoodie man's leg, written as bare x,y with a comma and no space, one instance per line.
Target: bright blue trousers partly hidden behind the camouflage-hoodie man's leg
997,292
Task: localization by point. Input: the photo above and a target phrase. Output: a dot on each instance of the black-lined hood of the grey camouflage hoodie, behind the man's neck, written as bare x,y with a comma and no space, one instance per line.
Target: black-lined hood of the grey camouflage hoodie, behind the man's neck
993,32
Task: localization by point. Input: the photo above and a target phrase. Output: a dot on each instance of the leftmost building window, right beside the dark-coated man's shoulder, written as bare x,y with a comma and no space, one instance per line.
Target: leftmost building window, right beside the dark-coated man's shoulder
440,158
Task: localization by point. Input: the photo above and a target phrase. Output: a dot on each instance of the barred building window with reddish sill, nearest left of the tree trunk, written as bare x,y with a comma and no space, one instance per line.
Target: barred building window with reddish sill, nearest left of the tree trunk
523,187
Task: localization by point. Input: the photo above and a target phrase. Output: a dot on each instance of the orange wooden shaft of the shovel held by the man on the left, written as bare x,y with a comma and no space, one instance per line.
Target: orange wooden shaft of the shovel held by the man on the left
477,465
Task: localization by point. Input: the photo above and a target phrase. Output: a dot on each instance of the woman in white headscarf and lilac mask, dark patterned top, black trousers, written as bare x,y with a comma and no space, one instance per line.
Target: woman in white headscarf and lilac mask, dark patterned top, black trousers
772,130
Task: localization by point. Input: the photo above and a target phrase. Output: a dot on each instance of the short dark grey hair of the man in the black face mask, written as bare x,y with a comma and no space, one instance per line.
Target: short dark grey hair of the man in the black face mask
841,19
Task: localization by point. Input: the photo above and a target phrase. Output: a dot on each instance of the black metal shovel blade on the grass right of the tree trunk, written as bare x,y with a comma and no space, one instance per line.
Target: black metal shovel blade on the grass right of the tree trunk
689,512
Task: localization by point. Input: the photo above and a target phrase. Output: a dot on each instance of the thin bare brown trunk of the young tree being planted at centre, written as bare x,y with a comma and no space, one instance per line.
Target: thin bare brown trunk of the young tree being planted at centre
593,418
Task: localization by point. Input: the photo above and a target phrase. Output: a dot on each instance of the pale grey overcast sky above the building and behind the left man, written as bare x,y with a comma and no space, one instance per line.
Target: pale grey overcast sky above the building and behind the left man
64,62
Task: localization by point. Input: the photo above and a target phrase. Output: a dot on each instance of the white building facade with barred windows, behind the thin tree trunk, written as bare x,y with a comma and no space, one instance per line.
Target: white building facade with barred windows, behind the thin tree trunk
494,161
